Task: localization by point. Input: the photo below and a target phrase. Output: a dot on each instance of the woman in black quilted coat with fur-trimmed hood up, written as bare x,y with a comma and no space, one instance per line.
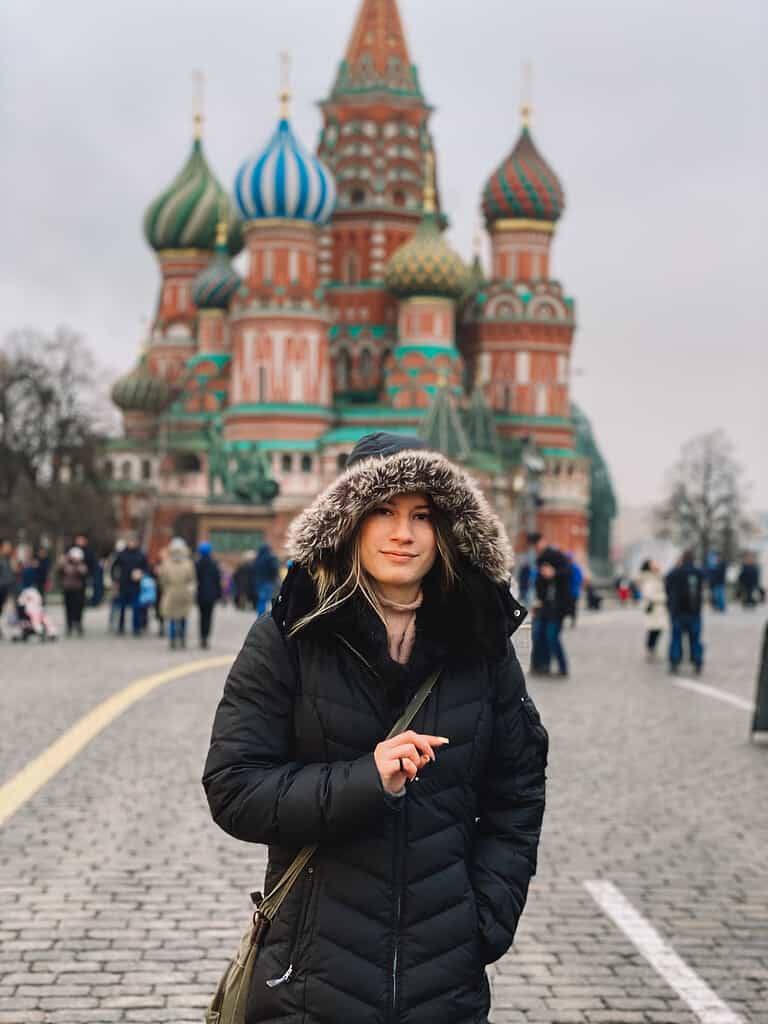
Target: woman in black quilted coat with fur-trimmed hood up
426,842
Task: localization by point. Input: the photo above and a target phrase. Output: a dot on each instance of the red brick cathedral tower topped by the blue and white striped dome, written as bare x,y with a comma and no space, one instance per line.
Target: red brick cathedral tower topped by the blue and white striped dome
281,370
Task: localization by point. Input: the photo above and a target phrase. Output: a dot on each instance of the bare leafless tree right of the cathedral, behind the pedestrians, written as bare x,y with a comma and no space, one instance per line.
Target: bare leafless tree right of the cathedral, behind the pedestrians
705,507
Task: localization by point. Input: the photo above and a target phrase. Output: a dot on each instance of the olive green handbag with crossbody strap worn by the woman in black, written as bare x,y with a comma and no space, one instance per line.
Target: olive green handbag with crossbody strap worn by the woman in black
229,1003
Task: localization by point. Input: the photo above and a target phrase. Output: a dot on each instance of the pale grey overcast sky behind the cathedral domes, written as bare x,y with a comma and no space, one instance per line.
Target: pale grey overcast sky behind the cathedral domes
653,114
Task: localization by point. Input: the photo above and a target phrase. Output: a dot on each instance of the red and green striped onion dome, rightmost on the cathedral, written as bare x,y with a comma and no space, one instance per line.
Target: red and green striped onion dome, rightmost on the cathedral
524,187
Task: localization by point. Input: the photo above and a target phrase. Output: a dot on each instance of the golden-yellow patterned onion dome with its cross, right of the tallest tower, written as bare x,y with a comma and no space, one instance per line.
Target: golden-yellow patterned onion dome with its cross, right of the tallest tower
426,265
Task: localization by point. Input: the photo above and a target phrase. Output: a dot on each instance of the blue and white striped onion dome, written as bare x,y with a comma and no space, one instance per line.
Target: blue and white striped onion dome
285,181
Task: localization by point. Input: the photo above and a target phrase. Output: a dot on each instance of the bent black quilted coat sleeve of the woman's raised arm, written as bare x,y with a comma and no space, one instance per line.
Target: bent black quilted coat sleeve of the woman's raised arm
255,790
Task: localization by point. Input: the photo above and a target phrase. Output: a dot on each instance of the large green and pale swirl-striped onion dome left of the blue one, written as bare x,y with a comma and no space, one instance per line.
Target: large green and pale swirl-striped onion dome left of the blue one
185,217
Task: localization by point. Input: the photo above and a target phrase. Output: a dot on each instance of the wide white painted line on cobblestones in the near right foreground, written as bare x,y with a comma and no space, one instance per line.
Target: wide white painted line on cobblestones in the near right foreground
708,1007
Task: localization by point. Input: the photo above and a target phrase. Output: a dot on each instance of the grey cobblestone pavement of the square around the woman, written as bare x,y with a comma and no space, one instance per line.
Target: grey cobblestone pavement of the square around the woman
120,901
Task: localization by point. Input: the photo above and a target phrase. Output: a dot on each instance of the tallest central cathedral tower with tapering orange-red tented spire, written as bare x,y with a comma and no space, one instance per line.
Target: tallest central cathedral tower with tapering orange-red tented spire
375,138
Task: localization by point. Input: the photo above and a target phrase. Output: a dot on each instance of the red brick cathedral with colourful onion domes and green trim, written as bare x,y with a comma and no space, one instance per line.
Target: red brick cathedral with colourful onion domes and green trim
353,315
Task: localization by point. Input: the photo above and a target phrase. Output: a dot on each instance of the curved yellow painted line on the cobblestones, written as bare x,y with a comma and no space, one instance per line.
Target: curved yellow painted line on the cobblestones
34,776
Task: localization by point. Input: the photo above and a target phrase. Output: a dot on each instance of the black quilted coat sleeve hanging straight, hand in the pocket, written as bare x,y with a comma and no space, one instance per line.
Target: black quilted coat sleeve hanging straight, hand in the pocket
511,808
